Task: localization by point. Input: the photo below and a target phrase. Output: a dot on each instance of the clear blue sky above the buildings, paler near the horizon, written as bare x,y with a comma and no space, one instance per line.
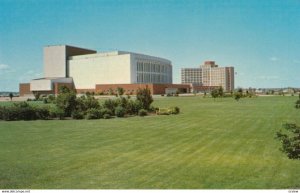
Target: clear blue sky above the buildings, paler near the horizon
261,39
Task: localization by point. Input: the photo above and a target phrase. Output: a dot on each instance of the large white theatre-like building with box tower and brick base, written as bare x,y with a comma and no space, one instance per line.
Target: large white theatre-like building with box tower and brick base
83,69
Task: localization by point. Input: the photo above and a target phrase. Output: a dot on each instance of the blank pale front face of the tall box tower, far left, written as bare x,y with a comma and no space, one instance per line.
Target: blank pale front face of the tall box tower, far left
55,61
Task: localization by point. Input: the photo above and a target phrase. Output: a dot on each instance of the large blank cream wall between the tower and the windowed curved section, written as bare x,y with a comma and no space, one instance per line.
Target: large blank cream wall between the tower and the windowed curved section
92,69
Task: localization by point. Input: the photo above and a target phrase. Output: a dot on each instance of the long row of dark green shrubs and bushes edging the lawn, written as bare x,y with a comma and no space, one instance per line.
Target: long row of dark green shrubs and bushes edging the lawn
67,104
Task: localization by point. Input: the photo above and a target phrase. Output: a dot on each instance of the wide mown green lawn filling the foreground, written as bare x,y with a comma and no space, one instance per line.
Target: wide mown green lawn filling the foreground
223,144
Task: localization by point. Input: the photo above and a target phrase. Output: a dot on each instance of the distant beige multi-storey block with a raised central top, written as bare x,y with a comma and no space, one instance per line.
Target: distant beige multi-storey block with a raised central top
209,75
